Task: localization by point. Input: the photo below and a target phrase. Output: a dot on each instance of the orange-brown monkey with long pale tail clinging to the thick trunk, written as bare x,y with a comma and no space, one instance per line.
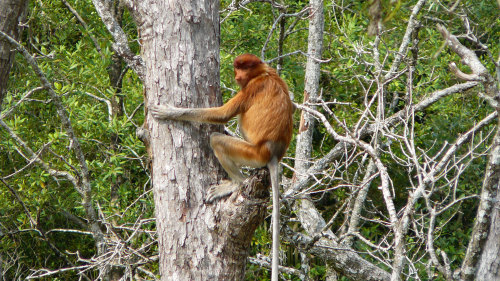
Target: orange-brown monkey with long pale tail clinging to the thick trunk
265,113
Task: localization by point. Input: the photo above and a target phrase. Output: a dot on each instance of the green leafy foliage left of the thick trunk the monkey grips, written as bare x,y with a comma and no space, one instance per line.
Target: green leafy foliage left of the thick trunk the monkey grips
78,72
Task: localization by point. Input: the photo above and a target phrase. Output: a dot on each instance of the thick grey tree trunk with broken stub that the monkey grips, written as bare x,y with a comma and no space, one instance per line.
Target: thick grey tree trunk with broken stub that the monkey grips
197,241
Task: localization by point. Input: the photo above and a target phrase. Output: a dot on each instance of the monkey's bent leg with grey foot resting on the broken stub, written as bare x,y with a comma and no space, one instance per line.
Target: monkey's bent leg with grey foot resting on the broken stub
233,153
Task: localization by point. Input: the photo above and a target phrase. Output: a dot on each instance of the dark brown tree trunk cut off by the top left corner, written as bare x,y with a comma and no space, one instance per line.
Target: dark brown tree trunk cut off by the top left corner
11,13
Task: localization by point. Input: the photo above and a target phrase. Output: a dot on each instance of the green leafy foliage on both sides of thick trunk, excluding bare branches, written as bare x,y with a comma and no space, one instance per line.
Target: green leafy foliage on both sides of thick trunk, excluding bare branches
116,158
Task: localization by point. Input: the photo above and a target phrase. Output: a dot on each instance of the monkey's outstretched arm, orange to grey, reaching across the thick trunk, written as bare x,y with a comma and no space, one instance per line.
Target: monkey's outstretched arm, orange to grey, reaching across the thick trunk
216,115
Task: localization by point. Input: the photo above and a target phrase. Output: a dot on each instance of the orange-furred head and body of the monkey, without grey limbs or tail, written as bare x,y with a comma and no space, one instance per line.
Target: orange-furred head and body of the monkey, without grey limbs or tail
264,107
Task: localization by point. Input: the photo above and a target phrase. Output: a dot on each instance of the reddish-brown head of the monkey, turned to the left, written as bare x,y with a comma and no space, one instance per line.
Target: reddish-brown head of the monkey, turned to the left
246,67
